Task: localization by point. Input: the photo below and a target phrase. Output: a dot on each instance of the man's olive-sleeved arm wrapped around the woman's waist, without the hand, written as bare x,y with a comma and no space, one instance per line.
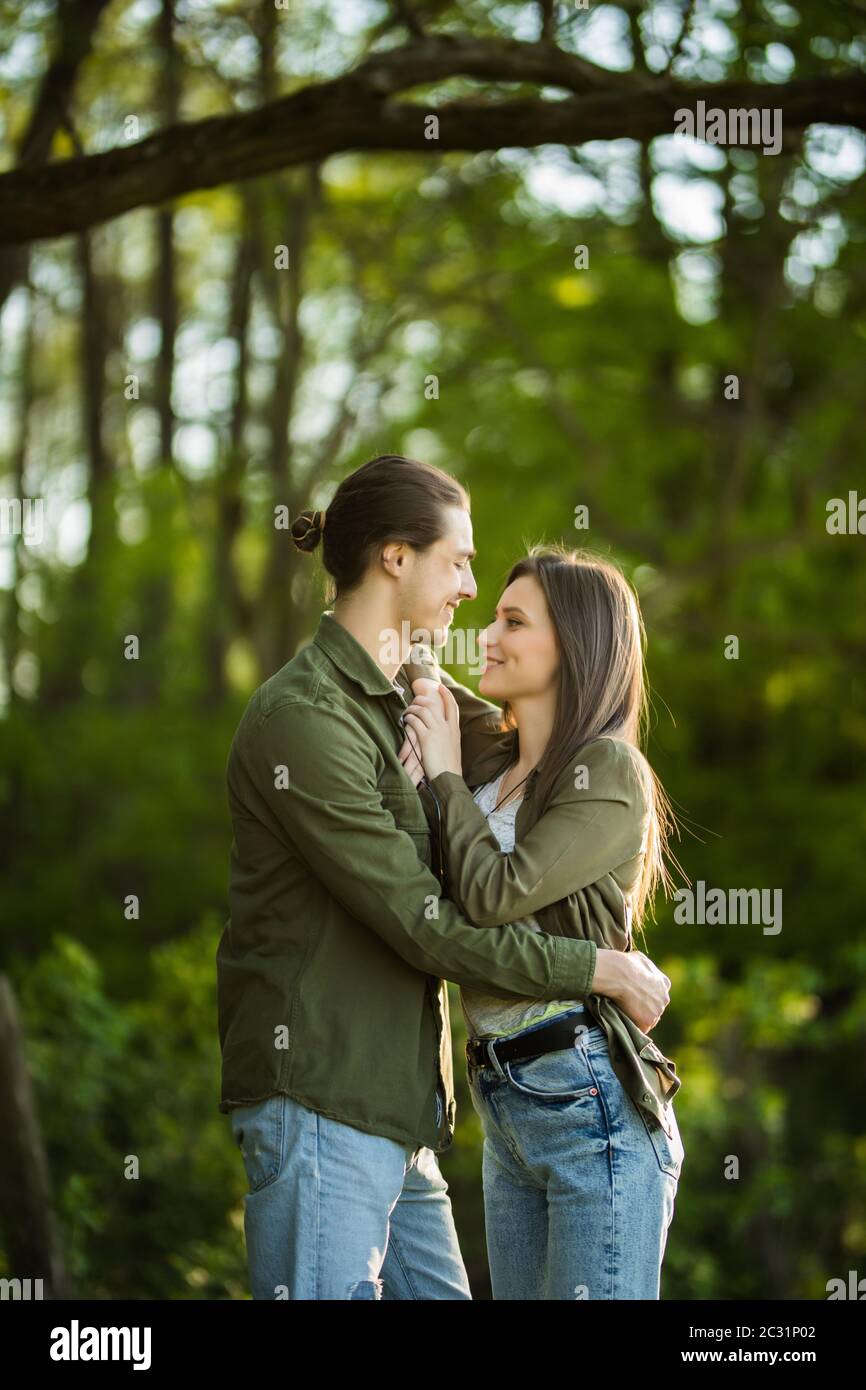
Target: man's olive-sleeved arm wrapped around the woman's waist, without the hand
332,814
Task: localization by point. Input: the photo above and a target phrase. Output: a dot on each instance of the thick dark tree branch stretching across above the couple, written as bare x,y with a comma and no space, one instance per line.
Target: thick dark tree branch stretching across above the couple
357,113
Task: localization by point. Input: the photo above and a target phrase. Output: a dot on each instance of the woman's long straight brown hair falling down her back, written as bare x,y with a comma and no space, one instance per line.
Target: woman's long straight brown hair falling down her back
603,687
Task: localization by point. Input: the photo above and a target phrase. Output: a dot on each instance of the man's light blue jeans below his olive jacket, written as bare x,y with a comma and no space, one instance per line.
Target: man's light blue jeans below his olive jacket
333,1213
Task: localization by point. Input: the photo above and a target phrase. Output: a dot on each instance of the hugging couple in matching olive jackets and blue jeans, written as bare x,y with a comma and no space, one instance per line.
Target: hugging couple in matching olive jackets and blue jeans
391,831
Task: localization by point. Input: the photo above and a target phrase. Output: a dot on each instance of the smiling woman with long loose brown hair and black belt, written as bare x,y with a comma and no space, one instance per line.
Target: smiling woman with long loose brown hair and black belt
566,832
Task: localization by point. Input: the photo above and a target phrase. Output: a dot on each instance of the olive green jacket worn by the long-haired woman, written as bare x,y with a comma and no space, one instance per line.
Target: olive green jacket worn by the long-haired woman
575,868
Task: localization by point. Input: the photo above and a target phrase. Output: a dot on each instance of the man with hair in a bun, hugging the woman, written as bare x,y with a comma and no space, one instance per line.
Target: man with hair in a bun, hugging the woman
334,1027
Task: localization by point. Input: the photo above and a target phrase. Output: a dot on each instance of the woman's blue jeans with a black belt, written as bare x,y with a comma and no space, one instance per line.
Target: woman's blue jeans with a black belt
579,1182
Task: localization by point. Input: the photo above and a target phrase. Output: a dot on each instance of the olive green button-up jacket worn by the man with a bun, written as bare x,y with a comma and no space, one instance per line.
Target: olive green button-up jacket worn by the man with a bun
332,967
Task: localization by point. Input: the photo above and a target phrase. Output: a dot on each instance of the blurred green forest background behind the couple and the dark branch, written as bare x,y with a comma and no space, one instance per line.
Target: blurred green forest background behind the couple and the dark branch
172,389
